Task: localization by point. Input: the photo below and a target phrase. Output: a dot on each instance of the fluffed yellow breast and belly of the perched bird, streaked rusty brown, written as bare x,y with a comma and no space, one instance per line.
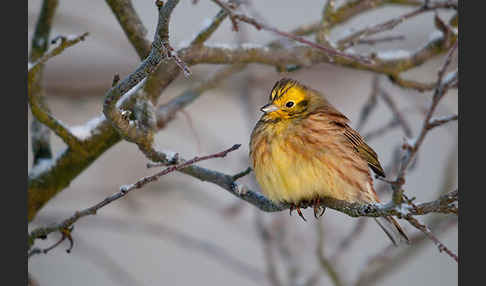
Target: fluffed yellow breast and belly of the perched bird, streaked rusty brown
295,166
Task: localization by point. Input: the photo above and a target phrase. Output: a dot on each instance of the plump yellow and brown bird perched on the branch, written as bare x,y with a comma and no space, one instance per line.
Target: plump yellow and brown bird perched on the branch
302,151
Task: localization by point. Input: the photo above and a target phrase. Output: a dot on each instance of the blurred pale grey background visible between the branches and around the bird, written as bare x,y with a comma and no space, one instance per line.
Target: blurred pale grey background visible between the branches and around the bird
181,231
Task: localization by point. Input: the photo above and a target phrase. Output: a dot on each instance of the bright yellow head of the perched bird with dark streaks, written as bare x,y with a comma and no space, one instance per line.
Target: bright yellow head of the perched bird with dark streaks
288,99
